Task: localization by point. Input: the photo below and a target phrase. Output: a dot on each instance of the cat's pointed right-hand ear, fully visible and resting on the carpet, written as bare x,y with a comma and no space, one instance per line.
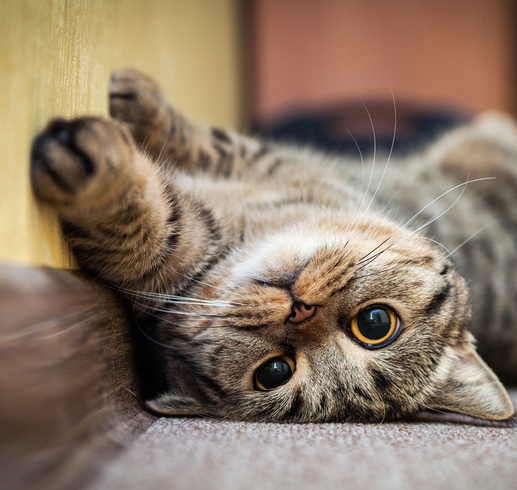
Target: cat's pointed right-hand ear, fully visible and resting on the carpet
471,388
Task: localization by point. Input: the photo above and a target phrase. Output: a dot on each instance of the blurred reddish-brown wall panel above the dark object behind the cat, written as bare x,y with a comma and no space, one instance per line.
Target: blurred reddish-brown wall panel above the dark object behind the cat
448,51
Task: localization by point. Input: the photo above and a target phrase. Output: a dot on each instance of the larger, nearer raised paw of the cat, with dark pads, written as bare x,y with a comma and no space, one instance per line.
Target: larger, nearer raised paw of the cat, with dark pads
78,159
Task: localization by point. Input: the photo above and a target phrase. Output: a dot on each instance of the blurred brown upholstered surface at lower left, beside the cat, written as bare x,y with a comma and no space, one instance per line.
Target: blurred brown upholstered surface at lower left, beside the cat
67,392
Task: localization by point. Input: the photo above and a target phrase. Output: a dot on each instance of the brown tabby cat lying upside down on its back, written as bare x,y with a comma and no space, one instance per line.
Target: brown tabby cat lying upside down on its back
282,284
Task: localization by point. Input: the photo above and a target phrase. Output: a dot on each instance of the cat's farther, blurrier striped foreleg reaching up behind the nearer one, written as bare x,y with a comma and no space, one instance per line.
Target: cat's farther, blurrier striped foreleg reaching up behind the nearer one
174,140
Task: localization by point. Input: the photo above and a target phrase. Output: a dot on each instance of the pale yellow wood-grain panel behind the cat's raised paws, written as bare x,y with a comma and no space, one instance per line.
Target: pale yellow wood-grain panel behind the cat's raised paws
55,60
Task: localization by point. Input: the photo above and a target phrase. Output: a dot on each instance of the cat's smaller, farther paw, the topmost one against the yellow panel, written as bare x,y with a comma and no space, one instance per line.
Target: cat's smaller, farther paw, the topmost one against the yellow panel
136,100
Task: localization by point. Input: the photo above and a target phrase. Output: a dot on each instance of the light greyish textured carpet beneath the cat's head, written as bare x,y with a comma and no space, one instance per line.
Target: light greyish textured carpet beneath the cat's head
207,454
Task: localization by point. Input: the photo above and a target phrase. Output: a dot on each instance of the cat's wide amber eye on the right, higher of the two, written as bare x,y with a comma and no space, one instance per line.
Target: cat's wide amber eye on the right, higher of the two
375,326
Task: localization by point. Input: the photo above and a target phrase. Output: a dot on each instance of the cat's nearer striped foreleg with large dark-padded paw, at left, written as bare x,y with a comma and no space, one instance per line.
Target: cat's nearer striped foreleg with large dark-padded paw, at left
126,223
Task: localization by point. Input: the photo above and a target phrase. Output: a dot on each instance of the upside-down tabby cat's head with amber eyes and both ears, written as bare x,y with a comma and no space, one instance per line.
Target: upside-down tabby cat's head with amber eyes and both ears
329,321
